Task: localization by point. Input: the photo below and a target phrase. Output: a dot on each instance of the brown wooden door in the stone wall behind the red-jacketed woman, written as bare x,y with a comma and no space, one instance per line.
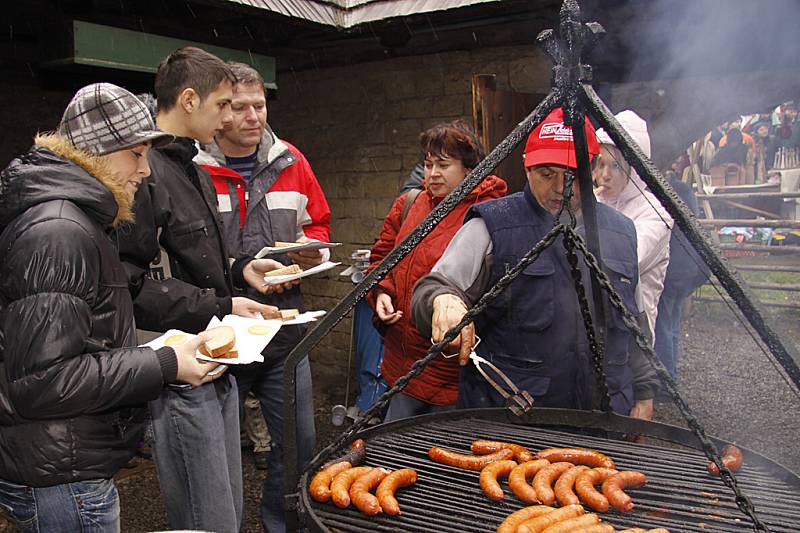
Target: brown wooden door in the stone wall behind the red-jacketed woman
494,114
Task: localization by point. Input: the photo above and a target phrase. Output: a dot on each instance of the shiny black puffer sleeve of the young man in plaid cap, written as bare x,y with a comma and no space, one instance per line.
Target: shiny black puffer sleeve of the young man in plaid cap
53,366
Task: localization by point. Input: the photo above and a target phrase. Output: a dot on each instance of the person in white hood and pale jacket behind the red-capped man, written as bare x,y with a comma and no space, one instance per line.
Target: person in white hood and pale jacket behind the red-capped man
619,186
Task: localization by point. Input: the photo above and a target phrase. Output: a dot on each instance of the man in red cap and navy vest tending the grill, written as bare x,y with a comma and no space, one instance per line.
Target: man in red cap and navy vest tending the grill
533,332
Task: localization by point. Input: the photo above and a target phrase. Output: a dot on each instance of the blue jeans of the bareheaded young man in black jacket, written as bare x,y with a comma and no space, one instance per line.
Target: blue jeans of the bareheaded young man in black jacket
198,457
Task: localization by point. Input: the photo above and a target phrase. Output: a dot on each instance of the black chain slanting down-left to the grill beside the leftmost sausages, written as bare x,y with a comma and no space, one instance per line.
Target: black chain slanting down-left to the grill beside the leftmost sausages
437,348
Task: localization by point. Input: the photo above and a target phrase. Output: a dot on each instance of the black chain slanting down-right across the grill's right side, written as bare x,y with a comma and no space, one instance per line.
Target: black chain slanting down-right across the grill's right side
742,501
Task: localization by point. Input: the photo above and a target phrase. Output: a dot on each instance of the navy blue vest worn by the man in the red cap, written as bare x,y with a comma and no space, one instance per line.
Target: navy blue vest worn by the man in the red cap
533,331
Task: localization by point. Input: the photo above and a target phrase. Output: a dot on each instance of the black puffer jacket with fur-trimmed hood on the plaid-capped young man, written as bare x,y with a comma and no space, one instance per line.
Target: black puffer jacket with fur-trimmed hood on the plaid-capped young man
71,396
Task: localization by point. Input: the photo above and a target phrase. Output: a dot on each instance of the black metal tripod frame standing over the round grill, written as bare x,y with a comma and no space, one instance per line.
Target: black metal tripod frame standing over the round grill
571,90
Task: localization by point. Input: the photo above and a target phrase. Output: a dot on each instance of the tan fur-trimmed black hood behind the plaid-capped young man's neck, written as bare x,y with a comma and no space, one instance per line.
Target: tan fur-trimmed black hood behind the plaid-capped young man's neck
55,170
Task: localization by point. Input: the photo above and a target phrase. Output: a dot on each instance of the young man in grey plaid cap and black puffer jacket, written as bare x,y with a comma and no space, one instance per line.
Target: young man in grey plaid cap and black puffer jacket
73,384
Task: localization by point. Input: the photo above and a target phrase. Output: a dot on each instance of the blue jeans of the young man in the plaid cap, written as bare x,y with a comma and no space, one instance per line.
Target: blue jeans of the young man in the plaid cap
90,506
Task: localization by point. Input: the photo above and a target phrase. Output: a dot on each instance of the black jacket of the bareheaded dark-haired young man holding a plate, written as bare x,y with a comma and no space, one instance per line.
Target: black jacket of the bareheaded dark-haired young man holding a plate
175,258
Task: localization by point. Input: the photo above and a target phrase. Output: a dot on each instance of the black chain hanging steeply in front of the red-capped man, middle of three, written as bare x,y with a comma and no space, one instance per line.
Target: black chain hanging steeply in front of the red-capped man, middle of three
597,349
